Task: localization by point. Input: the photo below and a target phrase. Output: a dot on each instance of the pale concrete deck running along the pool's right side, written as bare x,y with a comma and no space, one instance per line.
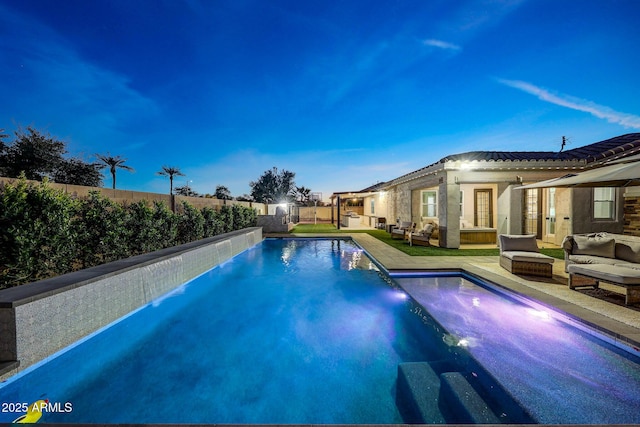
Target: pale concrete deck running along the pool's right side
622,323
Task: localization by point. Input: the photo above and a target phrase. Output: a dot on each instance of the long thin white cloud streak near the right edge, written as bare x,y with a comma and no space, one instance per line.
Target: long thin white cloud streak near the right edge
600,111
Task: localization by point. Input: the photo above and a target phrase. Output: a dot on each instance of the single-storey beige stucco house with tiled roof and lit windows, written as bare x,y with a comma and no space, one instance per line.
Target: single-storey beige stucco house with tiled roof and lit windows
474,196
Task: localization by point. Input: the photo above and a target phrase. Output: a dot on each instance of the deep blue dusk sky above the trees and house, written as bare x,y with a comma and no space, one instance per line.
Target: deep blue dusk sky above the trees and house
343,93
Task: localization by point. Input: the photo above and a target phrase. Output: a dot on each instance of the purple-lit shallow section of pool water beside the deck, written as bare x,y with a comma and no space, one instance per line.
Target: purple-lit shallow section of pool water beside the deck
559,373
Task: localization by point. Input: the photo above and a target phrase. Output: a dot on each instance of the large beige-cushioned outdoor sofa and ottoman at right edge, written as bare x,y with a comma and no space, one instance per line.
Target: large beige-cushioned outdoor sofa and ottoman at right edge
606,257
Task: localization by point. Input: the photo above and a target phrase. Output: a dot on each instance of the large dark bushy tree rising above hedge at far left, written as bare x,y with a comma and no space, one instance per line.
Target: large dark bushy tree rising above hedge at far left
33,153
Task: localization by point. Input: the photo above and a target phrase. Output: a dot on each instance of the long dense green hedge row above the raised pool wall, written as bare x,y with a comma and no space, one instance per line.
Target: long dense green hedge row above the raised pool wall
44,232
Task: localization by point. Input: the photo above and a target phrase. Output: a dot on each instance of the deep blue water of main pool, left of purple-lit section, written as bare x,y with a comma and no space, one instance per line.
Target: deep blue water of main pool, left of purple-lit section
287,332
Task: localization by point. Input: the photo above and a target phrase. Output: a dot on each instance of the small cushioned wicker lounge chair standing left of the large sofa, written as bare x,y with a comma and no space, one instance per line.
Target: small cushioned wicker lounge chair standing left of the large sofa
519,254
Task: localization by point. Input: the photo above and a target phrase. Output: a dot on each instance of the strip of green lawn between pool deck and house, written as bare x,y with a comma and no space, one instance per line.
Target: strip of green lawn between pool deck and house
411,250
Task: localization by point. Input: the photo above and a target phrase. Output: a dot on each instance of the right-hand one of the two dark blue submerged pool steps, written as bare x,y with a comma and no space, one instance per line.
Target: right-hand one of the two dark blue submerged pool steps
462,403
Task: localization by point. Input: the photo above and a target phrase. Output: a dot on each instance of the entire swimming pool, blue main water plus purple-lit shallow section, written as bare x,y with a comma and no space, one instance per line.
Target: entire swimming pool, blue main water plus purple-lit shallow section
310,331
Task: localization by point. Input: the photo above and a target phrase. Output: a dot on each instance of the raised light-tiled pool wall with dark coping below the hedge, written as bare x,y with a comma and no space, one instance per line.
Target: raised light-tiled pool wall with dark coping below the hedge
41,318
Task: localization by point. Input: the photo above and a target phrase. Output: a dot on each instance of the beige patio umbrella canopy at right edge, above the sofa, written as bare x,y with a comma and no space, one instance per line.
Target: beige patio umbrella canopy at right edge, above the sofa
614,175
